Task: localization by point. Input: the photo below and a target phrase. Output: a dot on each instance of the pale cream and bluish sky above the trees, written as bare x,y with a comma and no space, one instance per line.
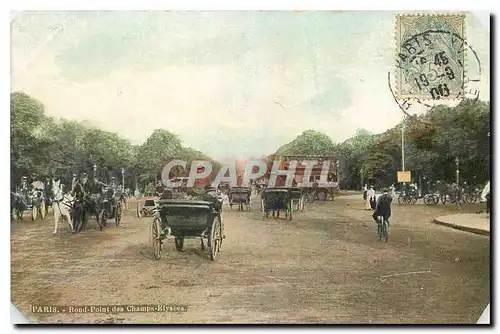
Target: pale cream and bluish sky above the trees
229,83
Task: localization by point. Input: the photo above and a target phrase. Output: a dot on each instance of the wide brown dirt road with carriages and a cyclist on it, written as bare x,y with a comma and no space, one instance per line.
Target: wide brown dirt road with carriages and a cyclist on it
325,266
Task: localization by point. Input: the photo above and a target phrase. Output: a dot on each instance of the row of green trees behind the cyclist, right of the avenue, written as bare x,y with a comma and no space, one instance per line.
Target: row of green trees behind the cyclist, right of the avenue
433,141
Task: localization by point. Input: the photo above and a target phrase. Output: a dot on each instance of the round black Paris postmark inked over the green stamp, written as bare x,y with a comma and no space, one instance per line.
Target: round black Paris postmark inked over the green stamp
431,67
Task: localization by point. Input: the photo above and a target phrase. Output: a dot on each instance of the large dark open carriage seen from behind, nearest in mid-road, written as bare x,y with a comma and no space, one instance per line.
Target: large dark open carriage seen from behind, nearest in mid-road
184,219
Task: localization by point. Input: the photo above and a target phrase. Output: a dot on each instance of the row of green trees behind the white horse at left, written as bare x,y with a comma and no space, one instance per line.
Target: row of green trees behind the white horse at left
42,146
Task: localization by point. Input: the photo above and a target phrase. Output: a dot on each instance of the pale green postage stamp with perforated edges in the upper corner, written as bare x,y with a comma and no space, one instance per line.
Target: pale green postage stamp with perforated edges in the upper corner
430,56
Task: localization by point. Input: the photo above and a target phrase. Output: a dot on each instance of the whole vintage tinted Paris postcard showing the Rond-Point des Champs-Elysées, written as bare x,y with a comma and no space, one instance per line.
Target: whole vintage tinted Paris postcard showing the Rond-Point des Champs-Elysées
245,167
